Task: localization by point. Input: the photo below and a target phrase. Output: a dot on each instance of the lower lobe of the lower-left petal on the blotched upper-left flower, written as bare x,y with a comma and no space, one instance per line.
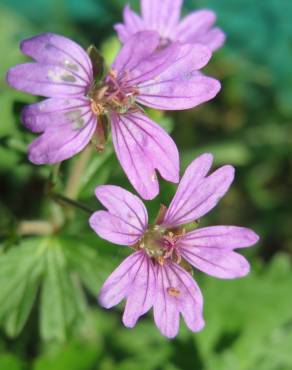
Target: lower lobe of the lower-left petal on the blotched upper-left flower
62,142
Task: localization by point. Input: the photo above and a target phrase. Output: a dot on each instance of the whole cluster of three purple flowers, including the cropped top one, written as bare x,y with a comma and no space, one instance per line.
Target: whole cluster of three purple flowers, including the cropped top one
158,66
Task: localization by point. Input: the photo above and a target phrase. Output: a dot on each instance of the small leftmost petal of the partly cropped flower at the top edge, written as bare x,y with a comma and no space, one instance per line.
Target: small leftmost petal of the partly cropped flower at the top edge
132,24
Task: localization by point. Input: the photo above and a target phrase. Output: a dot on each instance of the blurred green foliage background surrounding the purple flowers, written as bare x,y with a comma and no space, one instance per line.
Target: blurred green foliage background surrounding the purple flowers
48,312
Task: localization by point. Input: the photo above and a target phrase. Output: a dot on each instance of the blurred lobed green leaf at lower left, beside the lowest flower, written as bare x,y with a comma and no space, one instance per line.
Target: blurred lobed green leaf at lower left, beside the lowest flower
57,266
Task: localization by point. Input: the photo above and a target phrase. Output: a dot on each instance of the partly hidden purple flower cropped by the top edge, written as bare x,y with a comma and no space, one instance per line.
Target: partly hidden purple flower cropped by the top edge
163,16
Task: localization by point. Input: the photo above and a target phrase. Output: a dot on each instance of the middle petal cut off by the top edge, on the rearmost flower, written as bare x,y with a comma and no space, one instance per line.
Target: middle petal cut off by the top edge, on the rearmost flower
161,16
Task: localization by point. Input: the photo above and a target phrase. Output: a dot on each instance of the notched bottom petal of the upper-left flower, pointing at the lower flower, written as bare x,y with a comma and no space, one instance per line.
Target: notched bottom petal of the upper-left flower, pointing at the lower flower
141,147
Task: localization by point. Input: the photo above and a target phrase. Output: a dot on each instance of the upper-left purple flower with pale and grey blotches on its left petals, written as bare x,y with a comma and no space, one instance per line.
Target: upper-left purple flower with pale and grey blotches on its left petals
71,116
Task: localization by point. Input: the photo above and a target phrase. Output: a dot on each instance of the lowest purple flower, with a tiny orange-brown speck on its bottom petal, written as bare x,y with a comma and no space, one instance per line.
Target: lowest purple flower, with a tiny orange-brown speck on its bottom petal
158,274
